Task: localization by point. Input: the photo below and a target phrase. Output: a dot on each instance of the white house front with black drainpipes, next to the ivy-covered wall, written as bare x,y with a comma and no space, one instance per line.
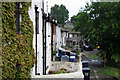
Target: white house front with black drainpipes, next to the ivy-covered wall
42,39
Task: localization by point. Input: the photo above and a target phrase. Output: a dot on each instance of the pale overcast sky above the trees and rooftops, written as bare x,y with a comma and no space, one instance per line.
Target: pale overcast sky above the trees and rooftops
73,6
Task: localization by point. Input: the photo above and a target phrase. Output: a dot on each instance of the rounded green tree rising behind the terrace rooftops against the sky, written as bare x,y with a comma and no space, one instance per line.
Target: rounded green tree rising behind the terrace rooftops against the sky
59,13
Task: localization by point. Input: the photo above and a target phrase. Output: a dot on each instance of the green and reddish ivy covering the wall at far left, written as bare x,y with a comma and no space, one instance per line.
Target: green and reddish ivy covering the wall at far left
18,56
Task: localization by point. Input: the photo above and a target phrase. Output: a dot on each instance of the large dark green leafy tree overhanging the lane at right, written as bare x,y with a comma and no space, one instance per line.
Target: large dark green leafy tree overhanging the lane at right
100,23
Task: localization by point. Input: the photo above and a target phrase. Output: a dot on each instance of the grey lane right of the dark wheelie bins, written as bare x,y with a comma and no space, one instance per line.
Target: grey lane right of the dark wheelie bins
95,65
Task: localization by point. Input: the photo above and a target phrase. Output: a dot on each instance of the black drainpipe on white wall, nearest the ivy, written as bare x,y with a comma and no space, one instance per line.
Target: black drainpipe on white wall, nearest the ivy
36,12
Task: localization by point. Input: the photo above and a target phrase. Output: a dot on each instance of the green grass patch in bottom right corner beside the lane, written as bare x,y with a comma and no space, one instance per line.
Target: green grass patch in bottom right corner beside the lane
110,71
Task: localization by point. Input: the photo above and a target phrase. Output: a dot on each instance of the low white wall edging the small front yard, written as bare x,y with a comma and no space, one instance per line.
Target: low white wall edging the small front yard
72,76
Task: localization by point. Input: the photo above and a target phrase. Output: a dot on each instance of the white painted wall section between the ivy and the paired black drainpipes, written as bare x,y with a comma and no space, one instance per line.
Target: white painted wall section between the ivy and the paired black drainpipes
39,39
